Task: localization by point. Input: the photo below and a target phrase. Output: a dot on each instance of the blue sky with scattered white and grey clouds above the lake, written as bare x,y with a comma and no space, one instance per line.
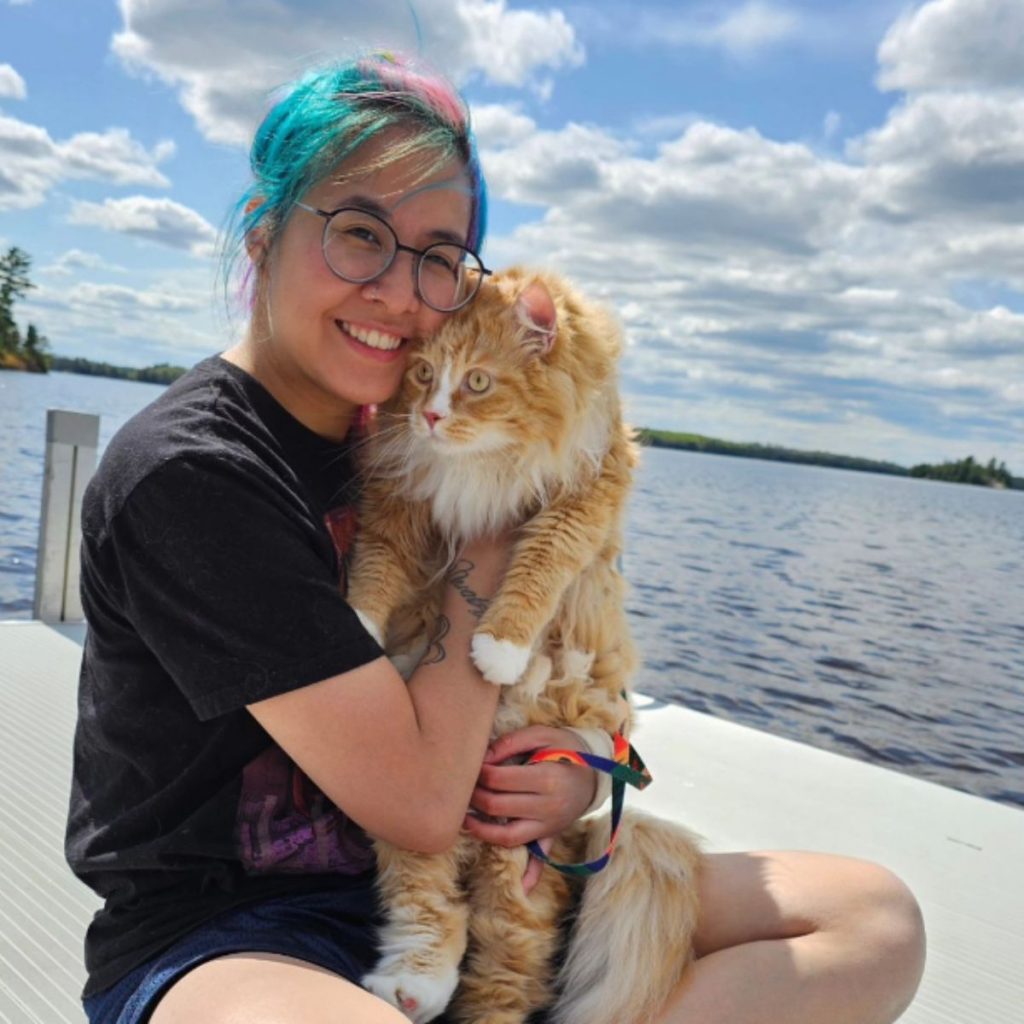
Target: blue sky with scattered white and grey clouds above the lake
809,216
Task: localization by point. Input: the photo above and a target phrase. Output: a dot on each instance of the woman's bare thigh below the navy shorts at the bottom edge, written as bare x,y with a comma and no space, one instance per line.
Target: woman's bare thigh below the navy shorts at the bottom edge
266,989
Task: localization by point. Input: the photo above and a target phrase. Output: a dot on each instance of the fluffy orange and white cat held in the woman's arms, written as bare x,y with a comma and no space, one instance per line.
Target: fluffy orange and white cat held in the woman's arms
510,418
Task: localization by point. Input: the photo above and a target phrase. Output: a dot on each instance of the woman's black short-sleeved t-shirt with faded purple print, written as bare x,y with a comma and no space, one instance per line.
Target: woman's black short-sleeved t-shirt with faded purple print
214,542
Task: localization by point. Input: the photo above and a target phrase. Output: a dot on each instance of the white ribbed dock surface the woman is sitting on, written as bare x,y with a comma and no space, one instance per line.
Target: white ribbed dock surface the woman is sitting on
741,789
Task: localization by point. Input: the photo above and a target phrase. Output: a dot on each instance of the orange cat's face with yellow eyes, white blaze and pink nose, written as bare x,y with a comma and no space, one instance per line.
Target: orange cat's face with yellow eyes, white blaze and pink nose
483,383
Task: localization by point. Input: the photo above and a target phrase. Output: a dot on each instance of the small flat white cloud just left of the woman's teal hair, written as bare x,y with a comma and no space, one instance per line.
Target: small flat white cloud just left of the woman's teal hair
160,221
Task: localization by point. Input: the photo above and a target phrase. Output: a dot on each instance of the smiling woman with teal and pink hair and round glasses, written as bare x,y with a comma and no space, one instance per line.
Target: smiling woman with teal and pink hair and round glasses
232,705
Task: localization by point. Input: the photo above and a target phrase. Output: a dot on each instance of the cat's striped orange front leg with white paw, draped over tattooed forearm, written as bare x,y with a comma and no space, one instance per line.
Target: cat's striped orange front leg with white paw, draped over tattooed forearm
556,547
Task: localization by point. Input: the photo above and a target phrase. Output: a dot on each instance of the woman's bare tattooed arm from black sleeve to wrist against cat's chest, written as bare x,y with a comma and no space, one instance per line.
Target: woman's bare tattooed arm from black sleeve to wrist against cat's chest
402,760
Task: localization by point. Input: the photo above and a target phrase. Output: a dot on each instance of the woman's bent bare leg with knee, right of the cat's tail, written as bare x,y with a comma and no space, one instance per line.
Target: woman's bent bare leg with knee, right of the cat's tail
801,937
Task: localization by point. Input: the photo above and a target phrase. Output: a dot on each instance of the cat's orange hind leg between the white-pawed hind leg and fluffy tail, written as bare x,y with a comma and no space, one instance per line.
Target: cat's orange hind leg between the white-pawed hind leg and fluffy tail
515,938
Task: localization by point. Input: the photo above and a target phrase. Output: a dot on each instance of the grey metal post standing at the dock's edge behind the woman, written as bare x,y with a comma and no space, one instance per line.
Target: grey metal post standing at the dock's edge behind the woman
72,441
